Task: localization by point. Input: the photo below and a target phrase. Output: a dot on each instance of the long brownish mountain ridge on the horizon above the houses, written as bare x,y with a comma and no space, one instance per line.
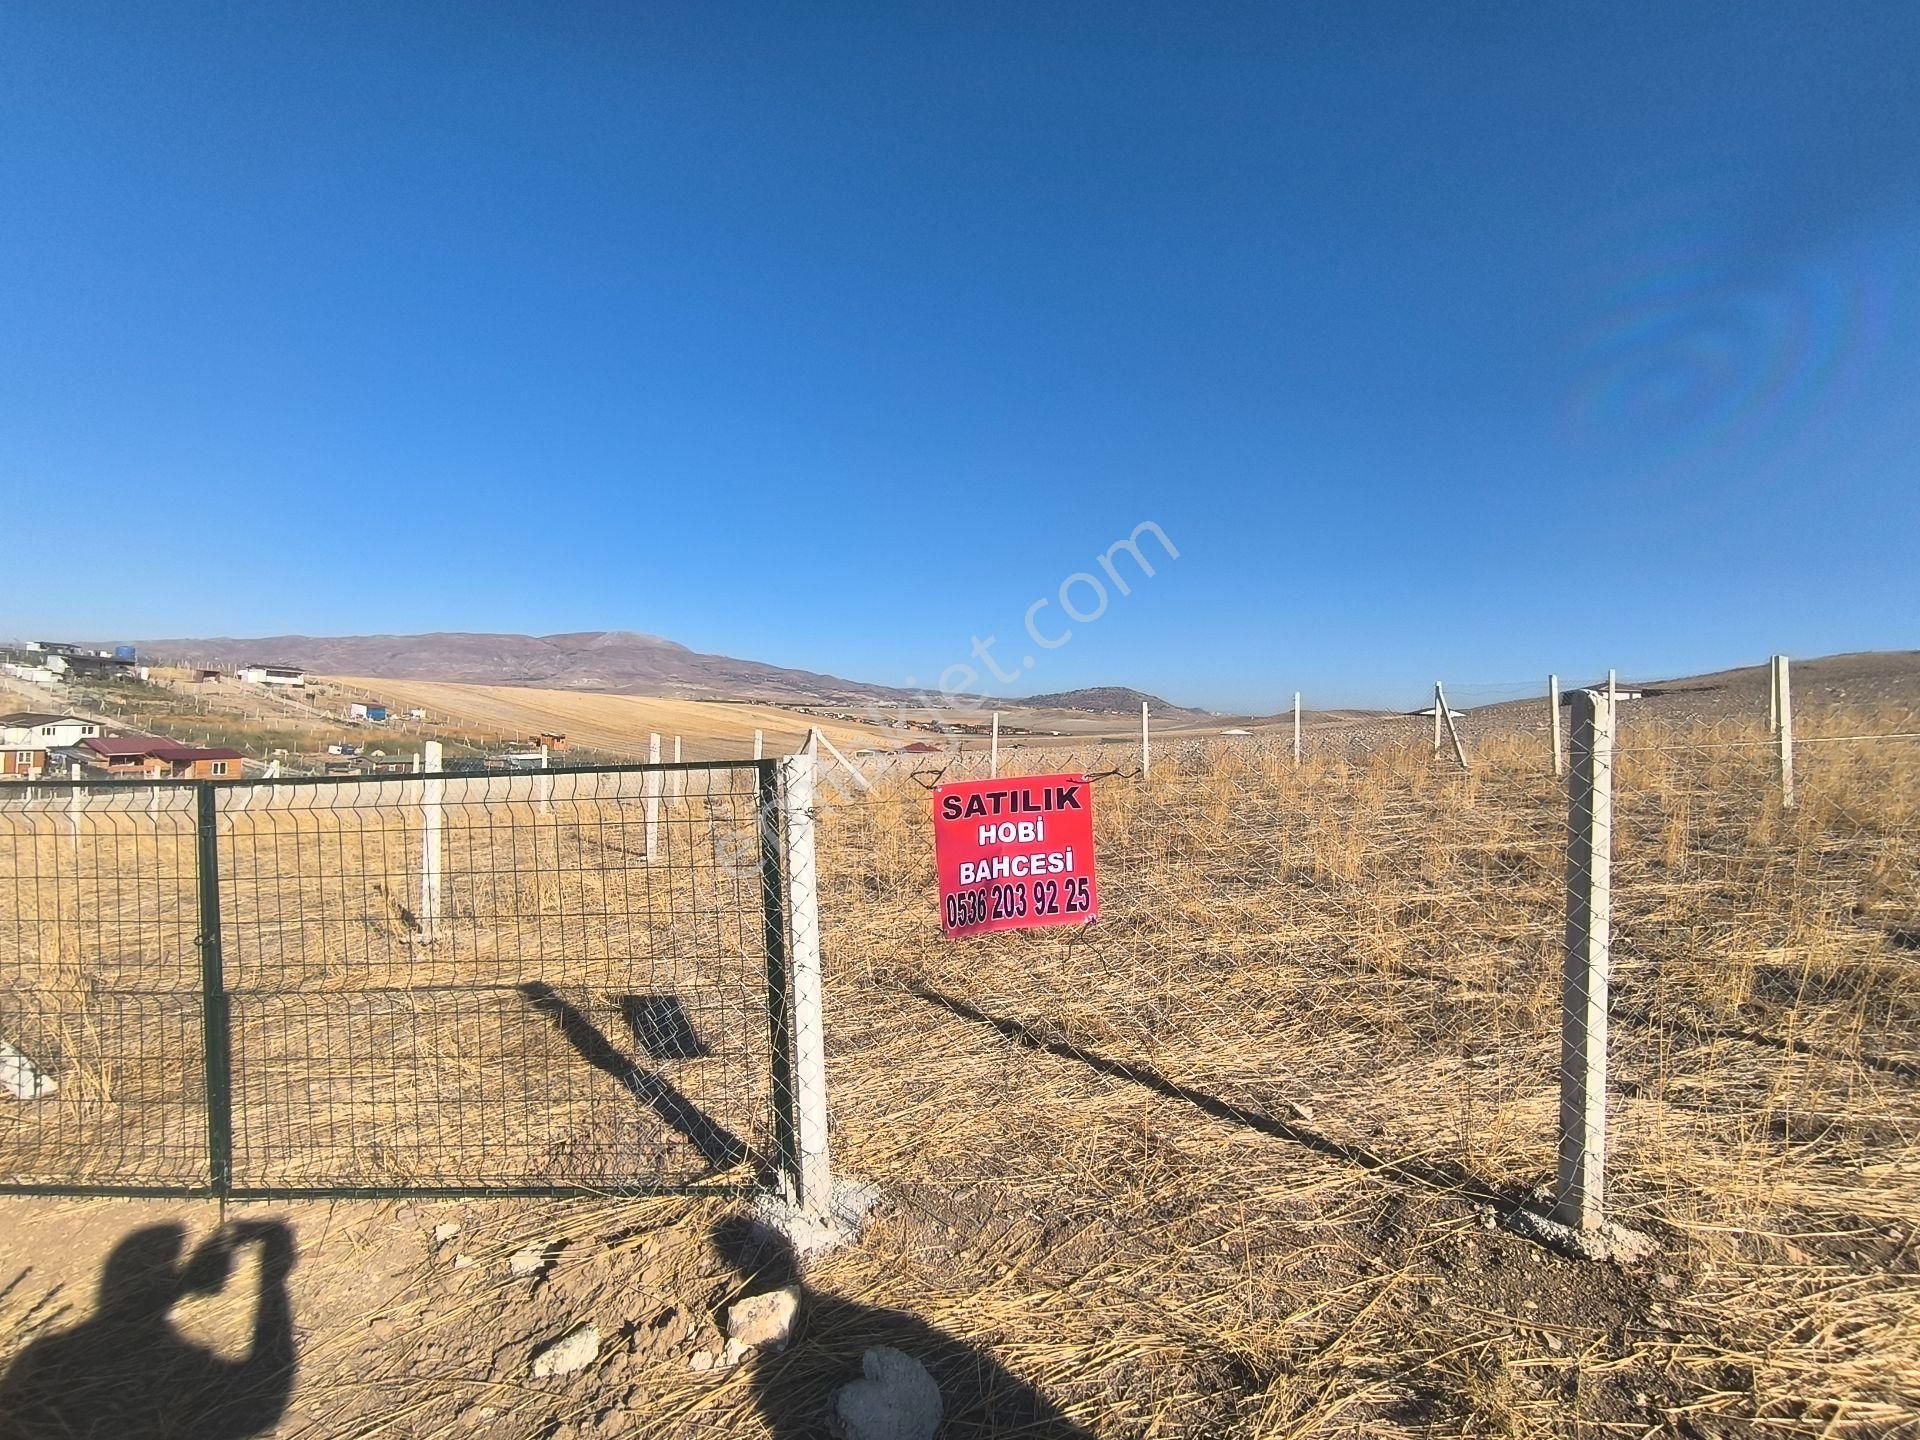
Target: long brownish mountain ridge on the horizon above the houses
613,661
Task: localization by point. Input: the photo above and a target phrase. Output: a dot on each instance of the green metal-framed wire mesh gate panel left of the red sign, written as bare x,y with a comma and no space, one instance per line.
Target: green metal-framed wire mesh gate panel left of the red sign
546,982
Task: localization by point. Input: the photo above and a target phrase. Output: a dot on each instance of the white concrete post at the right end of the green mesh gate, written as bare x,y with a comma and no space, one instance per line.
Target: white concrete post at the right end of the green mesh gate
813,1184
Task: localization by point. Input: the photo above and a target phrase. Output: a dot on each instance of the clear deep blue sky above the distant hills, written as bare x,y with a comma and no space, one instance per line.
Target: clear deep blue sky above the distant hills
1464,343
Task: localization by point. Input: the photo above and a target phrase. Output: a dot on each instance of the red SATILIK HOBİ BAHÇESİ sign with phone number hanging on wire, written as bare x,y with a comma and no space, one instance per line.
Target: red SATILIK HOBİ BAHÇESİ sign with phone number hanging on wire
1015,853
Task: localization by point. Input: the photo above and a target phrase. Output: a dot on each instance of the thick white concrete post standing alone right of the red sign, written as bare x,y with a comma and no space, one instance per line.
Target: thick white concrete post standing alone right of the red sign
1583,1122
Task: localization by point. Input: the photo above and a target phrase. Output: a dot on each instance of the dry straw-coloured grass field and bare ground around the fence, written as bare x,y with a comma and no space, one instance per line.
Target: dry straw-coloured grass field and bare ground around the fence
1232,1163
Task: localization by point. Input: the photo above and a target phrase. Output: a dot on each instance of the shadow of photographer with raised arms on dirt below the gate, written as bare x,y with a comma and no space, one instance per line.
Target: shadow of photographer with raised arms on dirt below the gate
130,1374
